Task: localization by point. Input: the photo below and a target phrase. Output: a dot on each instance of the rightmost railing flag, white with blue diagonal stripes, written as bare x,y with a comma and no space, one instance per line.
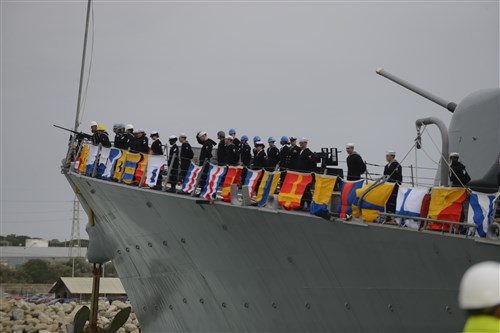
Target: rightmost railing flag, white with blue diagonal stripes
481,211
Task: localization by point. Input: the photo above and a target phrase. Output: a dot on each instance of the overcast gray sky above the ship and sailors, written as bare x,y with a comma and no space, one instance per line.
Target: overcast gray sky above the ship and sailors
264,68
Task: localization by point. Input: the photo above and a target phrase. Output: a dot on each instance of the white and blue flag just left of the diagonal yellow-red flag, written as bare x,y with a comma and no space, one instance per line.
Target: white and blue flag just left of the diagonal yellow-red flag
409,203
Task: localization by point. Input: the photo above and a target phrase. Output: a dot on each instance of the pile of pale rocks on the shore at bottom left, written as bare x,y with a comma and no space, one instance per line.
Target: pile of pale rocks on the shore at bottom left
23,317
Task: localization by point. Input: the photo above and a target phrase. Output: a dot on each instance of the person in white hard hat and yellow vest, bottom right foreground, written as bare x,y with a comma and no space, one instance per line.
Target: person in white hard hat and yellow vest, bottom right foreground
479,296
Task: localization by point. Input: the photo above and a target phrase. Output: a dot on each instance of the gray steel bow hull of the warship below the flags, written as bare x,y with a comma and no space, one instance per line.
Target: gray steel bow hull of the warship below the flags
193,267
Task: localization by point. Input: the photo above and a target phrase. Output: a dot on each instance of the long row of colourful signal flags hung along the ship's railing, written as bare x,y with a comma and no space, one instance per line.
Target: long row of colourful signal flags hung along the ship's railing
444,209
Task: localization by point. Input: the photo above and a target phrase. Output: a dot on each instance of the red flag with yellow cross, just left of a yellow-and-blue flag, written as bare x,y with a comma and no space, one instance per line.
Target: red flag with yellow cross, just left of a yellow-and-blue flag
293,188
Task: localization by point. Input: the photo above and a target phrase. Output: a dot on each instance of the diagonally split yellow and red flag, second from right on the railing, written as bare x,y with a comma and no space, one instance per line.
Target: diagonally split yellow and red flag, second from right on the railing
446,204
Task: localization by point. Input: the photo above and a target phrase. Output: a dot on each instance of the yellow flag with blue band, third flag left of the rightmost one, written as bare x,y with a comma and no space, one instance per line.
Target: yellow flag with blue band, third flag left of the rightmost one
373,202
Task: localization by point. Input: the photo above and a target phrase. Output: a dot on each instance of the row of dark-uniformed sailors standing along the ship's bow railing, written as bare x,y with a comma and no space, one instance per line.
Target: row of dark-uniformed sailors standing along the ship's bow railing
234,151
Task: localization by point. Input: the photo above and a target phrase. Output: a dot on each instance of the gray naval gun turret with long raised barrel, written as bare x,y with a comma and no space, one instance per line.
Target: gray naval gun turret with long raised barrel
474,132
